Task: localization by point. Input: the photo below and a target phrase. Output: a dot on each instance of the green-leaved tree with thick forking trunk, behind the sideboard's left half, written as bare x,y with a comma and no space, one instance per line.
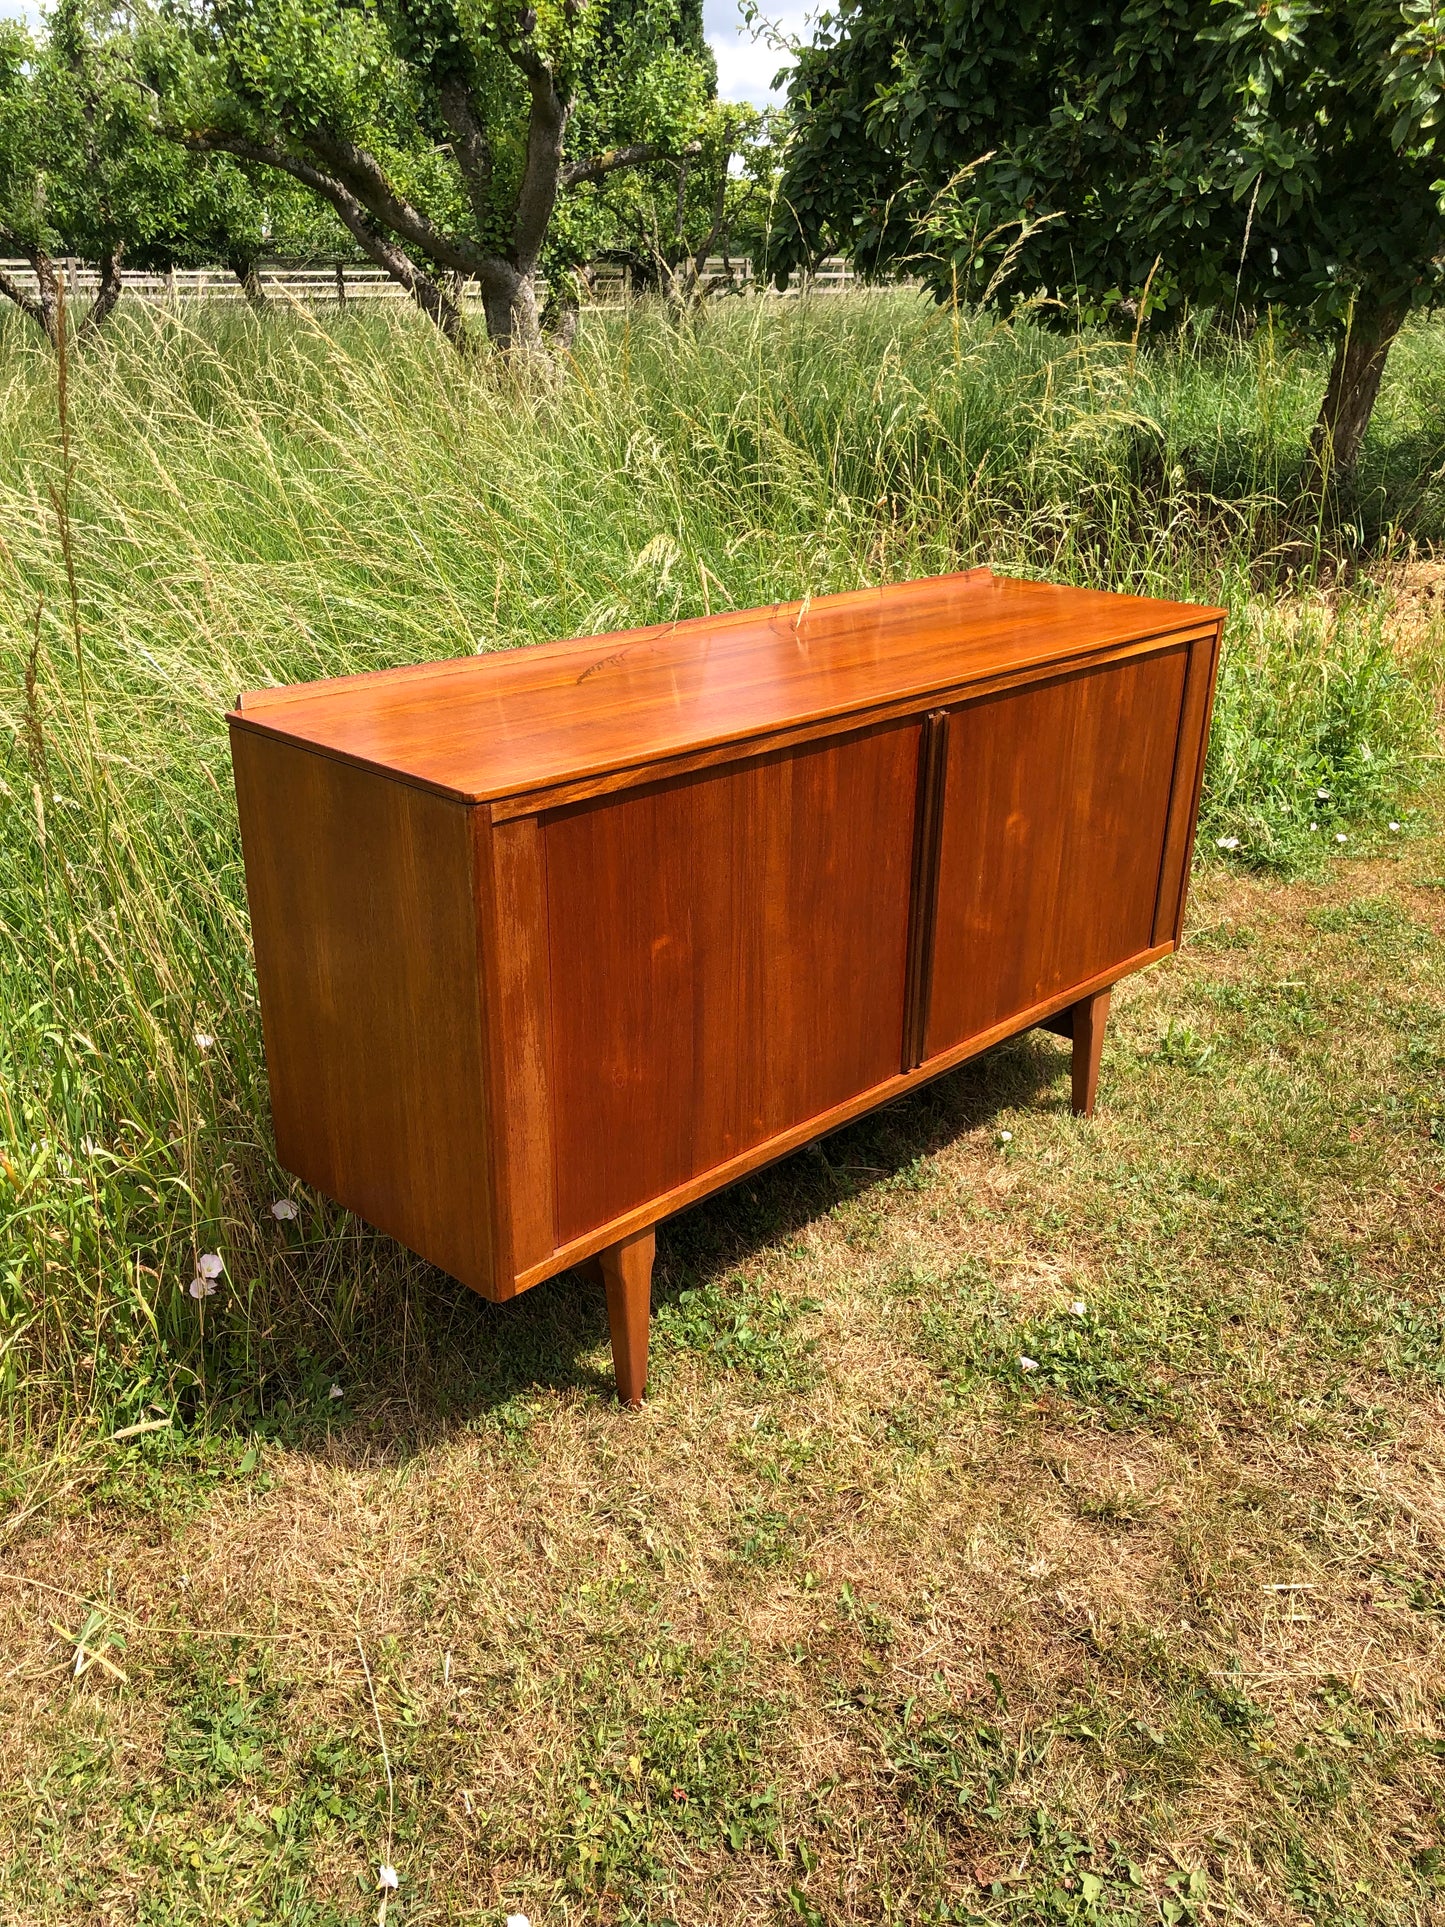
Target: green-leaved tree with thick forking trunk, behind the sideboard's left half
440,132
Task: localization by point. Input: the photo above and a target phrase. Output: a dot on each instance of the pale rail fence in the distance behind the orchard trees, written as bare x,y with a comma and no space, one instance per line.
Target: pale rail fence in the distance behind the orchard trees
342,282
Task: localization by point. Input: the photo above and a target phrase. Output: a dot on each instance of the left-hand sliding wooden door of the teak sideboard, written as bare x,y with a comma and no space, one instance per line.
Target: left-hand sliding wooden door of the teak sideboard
727,963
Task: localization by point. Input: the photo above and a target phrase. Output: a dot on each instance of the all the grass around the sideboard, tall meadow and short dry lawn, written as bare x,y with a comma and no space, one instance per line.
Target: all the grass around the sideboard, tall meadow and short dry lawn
856,1622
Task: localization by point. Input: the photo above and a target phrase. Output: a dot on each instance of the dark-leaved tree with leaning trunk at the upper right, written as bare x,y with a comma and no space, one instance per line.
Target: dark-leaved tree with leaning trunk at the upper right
1261,153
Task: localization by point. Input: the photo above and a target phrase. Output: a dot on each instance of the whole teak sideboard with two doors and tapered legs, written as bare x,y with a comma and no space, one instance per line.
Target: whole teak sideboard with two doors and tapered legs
556,941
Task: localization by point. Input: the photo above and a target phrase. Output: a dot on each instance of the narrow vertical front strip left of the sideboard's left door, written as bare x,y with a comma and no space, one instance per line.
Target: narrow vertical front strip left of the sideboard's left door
513,907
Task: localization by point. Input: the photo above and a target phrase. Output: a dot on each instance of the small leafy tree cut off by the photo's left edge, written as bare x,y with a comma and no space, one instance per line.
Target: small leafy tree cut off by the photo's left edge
66,142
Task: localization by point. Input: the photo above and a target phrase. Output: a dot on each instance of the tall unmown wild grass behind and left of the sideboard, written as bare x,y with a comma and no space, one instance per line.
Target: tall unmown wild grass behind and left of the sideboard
240,502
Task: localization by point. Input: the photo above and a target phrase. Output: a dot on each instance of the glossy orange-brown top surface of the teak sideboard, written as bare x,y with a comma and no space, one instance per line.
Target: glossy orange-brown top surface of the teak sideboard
496,726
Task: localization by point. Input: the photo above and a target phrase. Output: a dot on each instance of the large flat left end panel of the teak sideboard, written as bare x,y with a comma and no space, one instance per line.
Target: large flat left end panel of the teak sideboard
365,932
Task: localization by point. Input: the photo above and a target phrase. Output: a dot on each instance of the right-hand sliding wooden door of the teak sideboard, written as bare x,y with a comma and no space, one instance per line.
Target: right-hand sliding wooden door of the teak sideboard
1053,835
